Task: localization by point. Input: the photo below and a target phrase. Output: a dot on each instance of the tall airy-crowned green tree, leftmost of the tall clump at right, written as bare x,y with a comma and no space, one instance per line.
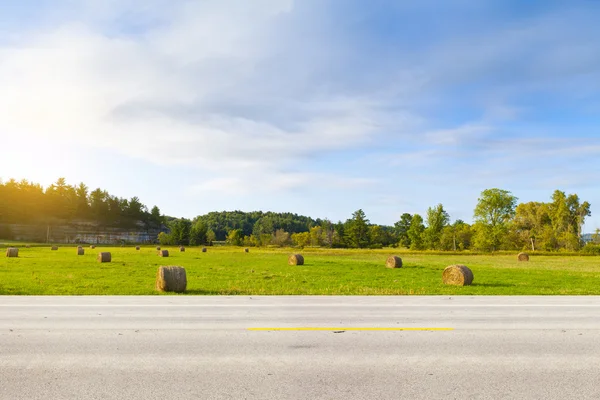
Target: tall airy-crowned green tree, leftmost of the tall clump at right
494,209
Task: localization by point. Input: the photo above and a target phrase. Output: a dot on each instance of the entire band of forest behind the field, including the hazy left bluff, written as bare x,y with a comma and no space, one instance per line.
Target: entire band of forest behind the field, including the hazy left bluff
500,223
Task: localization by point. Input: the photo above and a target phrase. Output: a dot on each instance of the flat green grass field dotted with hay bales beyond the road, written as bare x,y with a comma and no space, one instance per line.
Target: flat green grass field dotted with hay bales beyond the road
230,271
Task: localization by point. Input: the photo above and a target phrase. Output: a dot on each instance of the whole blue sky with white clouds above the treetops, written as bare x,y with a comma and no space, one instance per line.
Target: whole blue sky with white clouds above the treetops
317,107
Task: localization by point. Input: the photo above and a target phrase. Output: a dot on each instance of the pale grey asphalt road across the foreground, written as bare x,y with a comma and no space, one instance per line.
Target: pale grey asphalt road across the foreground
166,347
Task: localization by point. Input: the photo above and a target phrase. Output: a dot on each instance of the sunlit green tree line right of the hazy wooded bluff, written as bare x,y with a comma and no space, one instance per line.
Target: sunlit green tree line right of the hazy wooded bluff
499,223
